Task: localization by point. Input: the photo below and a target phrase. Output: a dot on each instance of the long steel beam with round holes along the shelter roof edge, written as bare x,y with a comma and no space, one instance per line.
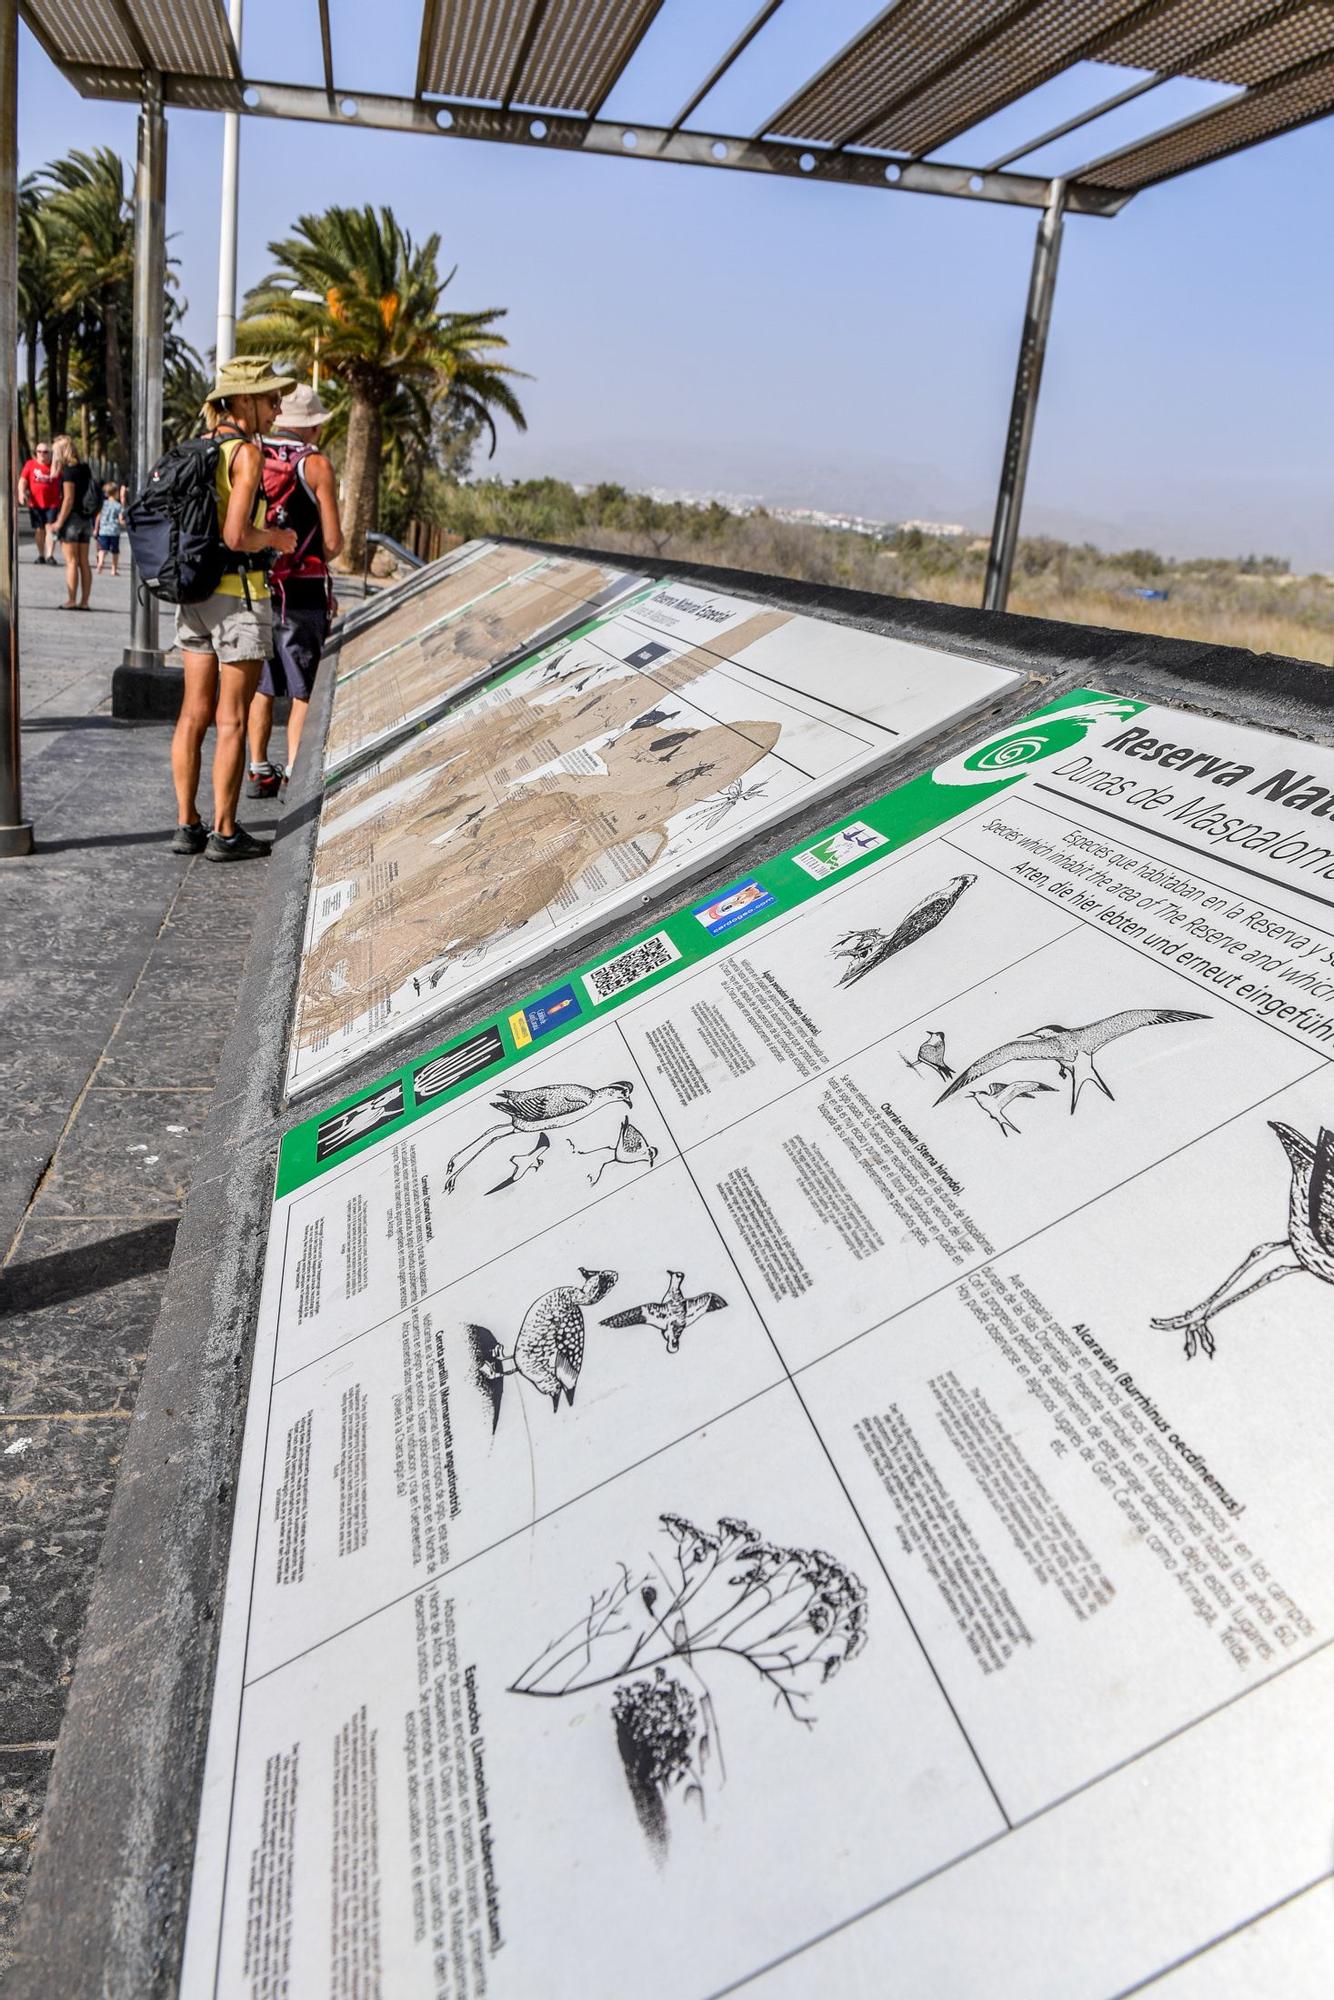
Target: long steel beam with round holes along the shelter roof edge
561,133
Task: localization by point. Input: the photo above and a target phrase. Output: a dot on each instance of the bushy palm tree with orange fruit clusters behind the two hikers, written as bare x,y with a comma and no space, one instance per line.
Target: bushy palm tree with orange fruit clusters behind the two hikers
383,341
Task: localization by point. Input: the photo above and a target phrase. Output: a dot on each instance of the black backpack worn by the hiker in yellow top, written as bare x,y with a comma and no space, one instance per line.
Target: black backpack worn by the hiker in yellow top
173,527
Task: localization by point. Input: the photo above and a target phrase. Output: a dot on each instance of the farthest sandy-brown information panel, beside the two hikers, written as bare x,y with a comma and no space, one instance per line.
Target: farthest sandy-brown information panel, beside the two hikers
433,649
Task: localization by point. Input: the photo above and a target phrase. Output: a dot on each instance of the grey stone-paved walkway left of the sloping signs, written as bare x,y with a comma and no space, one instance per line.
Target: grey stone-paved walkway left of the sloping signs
117,989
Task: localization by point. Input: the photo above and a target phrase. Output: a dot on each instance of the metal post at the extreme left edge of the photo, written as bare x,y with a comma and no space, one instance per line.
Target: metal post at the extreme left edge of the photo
15,831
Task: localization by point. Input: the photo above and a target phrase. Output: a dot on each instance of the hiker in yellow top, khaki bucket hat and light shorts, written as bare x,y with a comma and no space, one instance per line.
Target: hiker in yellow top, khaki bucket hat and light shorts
227,639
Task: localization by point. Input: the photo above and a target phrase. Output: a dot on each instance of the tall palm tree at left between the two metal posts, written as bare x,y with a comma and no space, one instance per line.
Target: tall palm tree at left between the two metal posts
91,237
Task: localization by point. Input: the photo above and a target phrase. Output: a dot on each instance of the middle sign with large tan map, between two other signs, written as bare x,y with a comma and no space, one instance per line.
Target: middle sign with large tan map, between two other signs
611,763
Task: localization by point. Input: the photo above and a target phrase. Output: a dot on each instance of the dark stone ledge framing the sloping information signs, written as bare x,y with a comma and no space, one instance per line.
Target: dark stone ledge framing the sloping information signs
107,1901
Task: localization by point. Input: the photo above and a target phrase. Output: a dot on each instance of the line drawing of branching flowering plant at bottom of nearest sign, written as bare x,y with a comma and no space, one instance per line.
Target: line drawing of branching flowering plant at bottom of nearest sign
793,1617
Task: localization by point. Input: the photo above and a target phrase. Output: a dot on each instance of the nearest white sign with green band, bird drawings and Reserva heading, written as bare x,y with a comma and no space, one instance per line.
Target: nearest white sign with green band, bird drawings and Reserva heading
801,1457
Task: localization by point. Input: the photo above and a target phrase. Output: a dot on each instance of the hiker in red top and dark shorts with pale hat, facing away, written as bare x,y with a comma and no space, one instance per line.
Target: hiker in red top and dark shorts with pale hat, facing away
303,495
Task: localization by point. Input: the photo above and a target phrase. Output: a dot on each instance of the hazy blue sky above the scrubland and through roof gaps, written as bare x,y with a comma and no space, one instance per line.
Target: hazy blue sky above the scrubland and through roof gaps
813,343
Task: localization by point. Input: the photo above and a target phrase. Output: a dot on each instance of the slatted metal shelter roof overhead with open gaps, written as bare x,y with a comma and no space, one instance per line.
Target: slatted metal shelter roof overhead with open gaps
911,83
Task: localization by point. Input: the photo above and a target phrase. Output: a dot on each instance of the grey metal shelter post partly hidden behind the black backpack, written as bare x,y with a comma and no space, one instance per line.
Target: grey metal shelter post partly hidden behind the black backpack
149,339
